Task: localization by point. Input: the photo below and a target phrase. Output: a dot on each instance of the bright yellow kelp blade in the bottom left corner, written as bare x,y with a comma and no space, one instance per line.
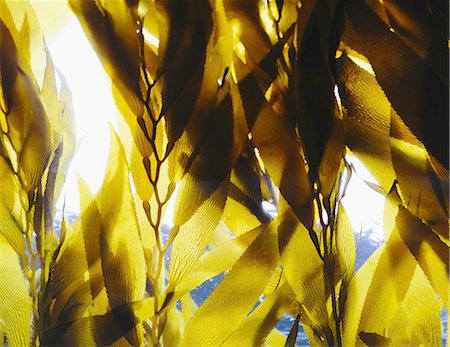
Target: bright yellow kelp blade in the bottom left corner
15,302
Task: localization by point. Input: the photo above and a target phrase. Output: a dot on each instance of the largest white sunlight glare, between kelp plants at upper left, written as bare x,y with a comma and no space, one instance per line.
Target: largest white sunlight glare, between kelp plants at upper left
94,108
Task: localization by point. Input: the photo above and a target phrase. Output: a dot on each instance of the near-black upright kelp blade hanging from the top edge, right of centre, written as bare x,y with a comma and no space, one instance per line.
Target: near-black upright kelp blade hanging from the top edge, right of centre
314,104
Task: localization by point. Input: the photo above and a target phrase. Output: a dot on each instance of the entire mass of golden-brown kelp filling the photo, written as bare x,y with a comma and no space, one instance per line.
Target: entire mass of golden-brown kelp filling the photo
227,105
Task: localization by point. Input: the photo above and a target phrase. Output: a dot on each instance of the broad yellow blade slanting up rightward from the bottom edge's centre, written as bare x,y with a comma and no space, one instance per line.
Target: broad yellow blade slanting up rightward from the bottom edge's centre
234,297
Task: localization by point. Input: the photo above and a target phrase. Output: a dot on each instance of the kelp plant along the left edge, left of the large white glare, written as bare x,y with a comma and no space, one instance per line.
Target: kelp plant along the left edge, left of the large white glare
36,144
